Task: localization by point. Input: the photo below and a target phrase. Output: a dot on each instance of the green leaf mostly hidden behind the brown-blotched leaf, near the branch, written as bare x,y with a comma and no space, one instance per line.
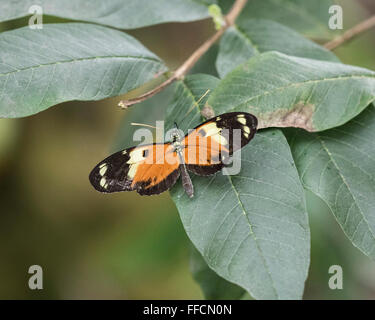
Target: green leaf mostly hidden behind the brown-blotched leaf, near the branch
255,36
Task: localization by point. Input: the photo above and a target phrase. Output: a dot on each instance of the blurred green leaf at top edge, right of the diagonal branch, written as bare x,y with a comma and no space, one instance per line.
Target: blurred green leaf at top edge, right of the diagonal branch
308,17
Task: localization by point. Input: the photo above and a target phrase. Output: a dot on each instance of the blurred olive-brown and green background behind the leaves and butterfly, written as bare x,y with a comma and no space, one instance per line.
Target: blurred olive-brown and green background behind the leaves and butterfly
124,246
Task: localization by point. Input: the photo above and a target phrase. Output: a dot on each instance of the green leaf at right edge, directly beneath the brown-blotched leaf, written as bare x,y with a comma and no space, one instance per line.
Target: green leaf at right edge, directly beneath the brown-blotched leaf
338,166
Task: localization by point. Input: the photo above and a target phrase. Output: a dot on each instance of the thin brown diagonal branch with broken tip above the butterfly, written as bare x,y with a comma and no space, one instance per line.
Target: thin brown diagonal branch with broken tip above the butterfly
230,18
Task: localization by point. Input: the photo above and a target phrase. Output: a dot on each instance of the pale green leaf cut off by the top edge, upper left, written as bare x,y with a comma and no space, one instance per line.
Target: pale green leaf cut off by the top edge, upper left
121,14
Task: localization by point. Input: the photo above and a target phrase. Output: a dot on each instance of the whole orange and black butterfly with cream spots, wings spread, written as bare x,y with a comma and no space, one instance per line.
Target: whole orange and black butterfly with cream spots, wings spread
154,168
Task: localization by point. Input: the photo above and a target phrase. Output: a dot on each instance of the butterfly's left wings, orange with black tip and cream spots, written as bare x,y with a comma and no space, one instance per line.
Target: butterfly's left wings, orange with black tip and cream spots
148,169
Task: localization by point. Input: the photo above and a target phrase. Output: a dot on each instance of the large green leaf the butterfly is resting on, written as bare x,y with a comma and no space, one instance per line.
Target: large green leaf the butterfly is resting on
252,228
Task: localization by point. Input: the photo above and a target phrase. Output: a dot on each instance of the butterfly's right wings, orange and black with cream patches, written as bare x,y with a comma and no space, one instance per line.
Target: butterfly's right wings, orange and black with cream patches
210,143
